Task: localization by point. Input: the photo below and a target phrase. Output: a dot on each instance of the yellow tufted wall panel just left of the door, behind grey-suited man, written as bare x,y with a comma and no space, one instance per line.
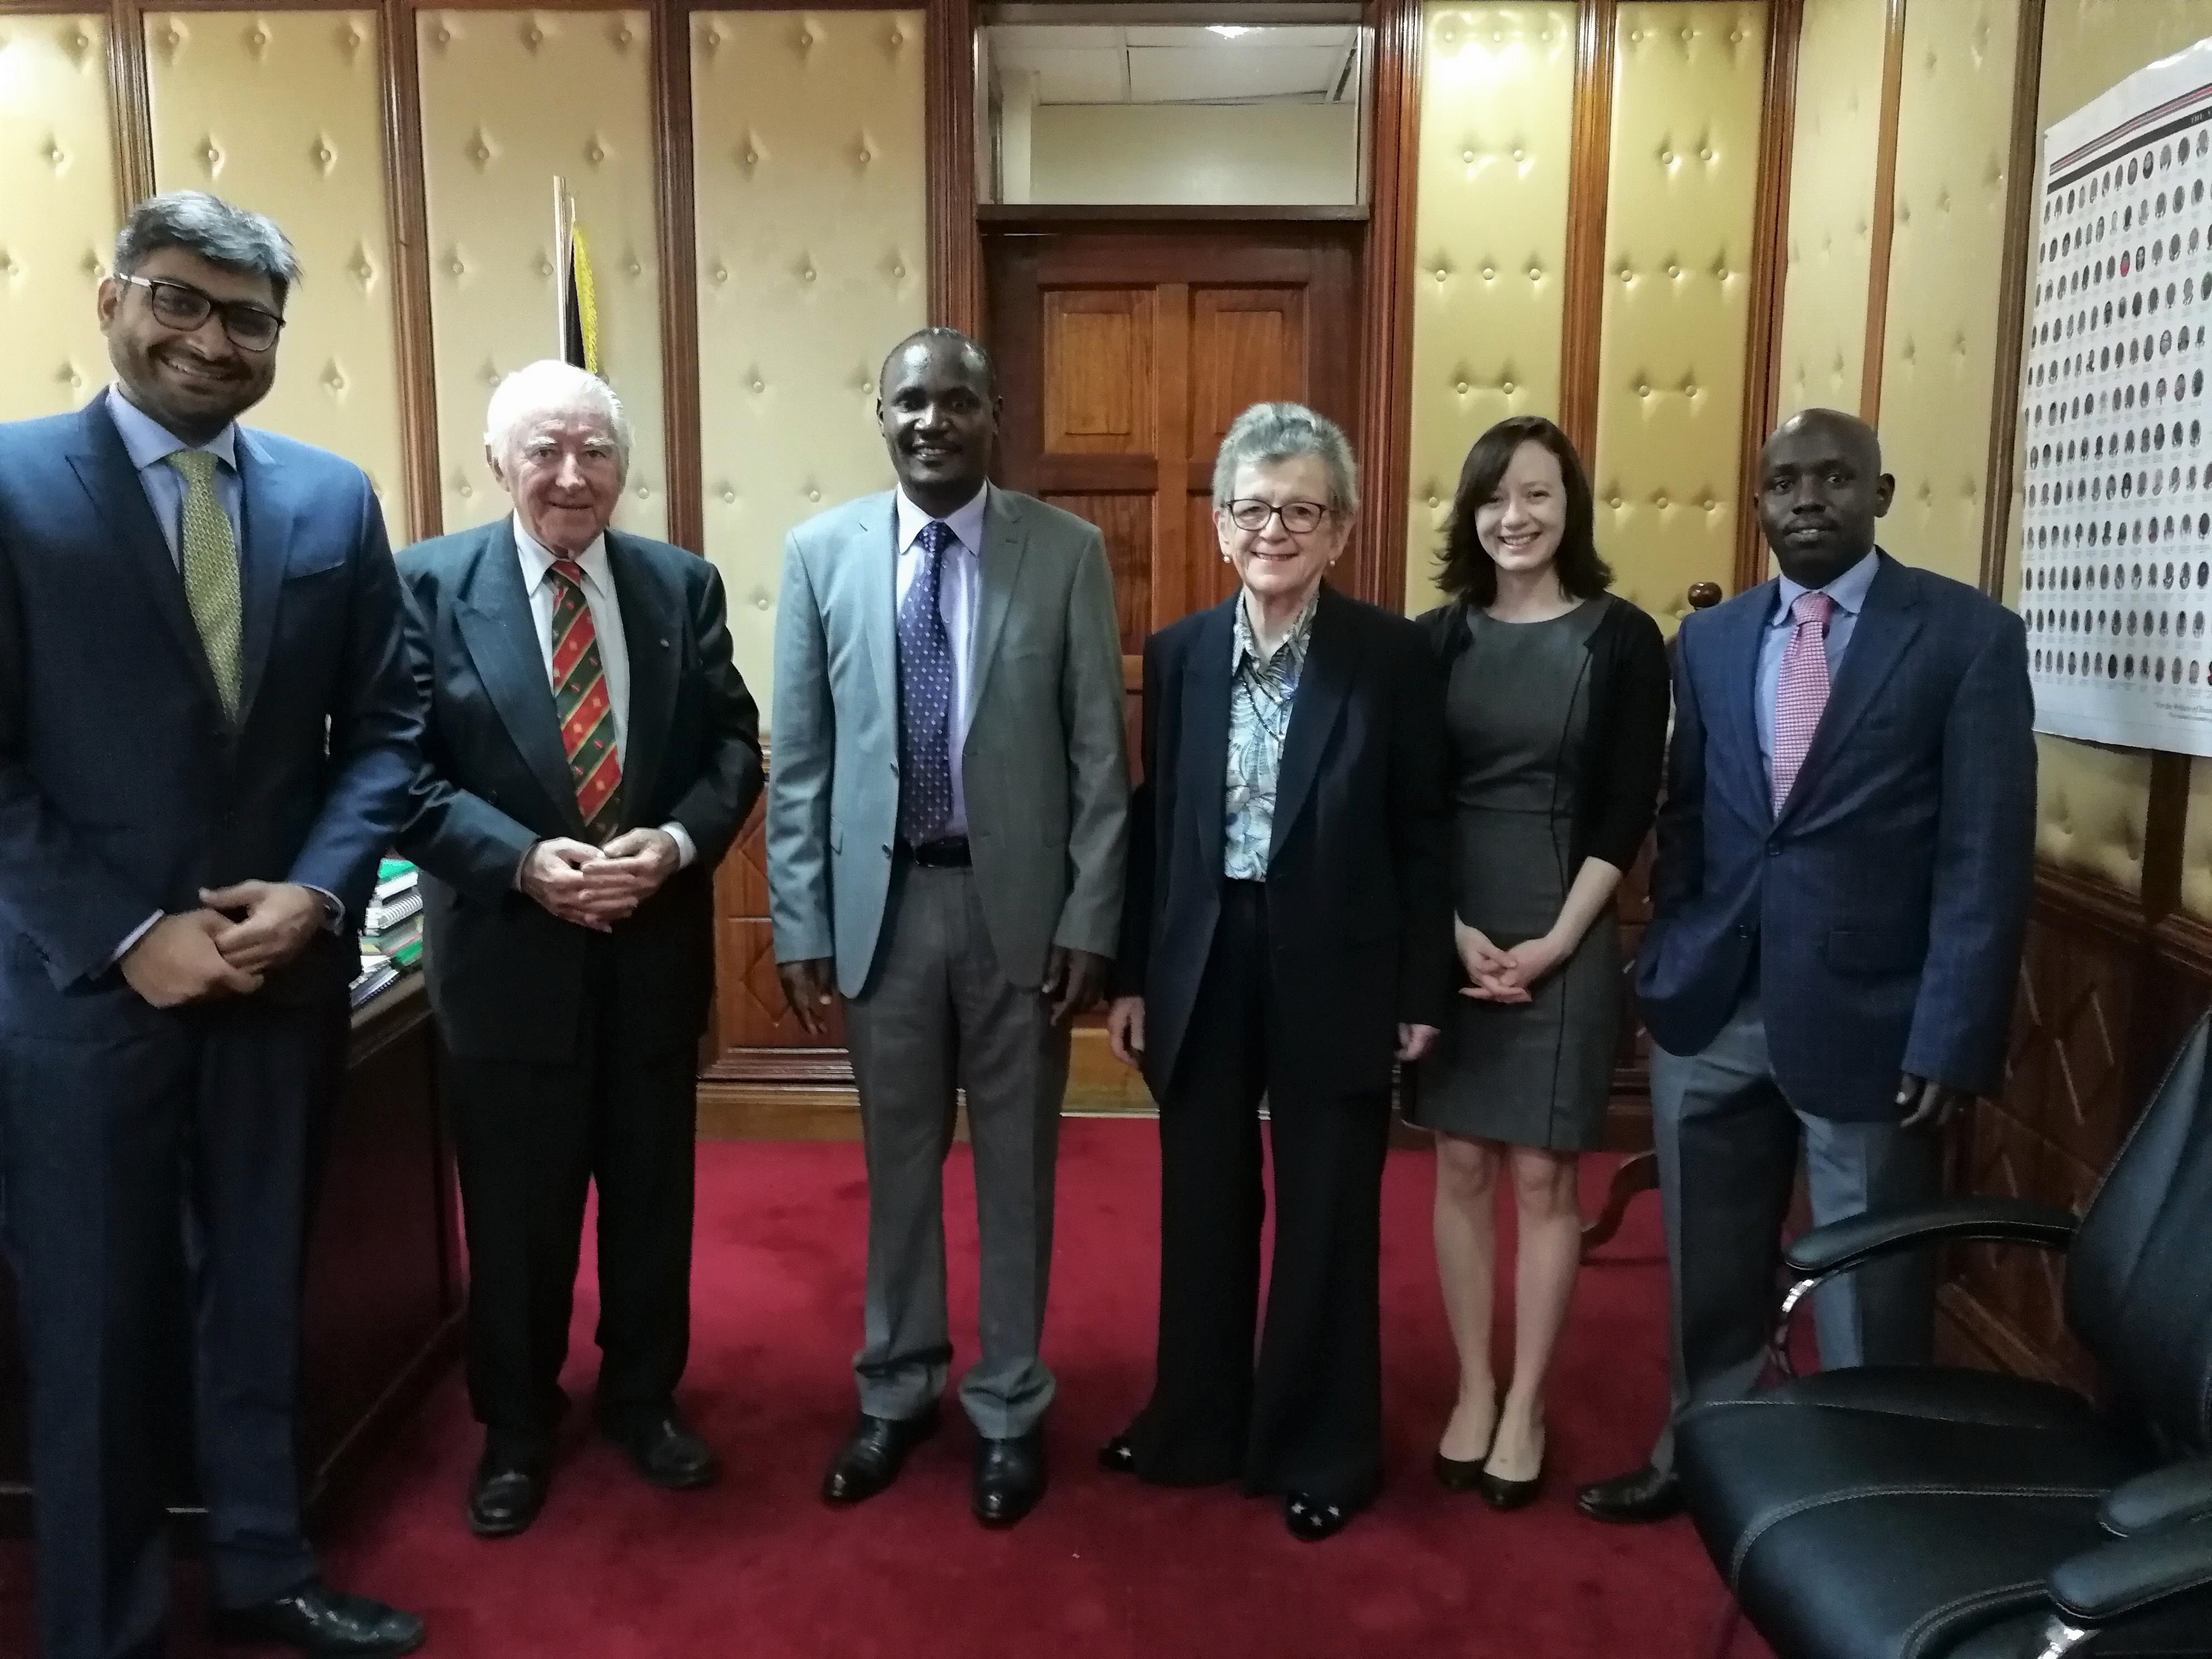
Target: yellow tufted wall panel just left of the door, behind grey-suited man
813,264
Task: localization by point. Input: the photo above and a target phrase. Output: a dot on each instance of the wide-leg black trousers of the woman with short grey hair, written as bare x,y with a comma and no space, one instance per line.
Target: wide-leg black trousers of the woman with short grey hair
1308,1417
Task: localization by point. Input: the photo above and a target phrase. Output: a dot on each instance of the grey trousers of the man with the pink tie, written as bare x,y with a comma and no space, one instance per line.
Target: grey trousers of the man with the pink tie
1729,1147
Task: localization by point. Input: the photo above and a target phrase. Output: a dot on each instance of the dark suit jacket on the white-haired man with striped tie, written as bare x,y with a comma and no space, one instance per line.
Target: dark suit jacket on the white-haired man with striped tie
505,977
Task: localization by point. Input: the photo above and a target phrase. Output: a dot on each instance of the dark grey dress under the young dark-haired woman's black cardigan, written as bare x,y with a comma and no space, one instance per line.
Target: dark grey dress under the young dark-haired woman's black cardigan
1534,1074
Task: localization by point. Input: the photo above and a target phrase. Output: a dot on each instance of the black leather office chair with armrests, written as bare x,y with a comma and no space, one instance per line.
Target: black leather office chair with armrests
1948,1514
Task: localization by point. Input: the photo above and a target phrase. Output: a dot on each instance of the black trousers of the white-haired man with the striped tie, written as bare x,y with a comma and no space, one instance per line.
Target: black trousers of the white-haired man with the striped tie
532,1140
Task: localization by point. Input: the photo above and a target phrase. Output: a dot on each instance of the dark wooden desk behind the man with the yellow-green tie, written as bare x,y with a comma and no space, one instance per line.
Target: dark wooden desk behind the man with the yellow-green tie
384,1269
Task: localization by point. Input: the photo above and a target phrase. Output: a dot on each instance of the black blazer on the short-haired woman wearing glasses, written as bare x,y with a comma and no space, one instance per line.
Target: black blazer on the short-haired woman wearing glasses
1361,839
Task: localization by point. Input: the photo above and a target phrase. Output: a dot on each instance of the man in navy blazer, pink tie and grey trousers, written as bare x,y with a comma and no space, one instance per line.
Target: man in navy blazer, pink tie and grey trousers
1846,859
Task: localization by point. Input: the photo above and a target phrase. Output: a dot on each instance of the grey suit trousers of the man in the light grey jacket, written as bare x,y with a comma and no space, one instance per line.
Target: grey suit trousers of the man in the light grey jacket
939,1014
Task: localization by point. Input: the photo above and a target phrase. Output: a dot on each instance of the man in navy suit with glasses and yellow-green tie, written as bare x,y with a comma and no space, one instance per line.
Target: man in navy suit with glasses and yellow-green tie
207,740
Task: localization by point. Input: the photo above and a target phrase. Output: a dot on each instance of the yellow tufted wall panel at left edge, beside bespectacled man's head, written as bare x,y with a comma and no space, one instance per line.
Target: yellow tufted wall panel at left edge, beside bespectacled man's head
59,209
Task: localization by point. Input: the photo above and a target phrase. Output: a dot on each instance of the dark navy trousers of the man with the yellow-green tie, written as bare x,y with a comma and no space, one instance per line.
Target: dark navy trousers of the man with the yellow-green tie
156,1171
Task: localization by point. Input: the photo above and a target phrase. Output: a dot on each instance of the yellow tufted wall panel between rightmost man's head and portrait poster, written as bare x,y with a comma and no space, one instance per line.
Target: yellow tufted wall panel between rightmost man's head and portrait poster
1948,258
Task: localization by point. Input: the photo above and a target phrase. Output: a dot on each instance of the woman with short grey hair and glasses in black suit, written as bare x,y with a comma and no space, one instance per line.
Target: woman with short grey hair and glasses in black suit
1284,937
